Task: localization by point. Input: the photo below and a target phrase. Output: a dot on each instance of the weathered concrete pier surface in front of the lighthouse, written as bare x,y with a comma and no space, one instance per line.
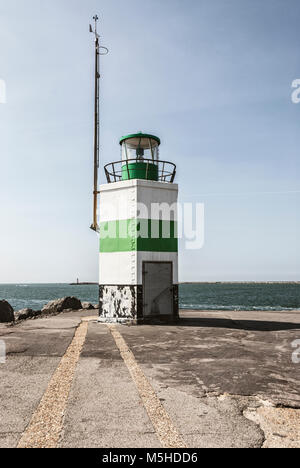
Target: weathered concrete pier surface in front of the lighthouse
224,379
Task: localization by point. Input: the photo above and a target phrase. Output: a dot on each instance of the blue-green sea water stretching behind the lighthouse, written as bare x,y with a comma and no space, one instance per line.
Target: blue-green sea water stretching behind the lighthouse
248,296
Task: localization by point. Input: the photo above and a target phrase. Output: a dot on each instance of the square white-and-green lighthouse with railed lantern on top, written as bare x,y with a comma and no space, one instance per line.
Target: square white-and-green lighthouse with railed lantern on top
138,236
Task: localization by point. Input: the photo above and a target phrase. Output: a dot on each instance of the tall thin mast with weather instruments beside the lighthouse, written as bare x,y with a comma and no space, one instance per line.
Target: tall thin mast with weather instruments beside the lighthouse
99,50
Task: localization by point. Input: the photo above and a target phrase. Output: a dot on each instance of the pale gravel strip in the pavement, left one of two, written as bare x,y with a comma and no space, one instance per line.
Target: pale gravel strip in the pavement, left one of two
46,424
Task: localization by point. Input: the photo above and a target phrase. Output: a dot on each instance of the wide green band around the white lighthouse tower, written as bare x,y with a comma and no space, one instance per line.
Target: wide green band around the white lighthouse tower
144,235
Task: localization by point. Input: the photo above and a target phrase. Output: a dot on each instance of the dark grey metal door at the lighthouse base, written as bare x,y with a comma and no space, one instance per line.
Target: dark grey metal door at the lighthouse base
158,288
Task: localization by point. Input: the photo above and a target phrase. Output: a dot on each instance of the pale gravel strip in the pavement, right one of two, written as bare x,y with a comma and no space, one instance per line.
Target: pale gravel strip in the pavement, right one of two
161,421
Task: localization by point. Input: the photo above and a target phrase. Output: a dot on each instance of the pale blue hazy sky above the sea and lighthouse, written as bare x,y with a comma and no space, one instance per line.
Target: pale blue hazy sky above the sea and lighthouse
212,78
